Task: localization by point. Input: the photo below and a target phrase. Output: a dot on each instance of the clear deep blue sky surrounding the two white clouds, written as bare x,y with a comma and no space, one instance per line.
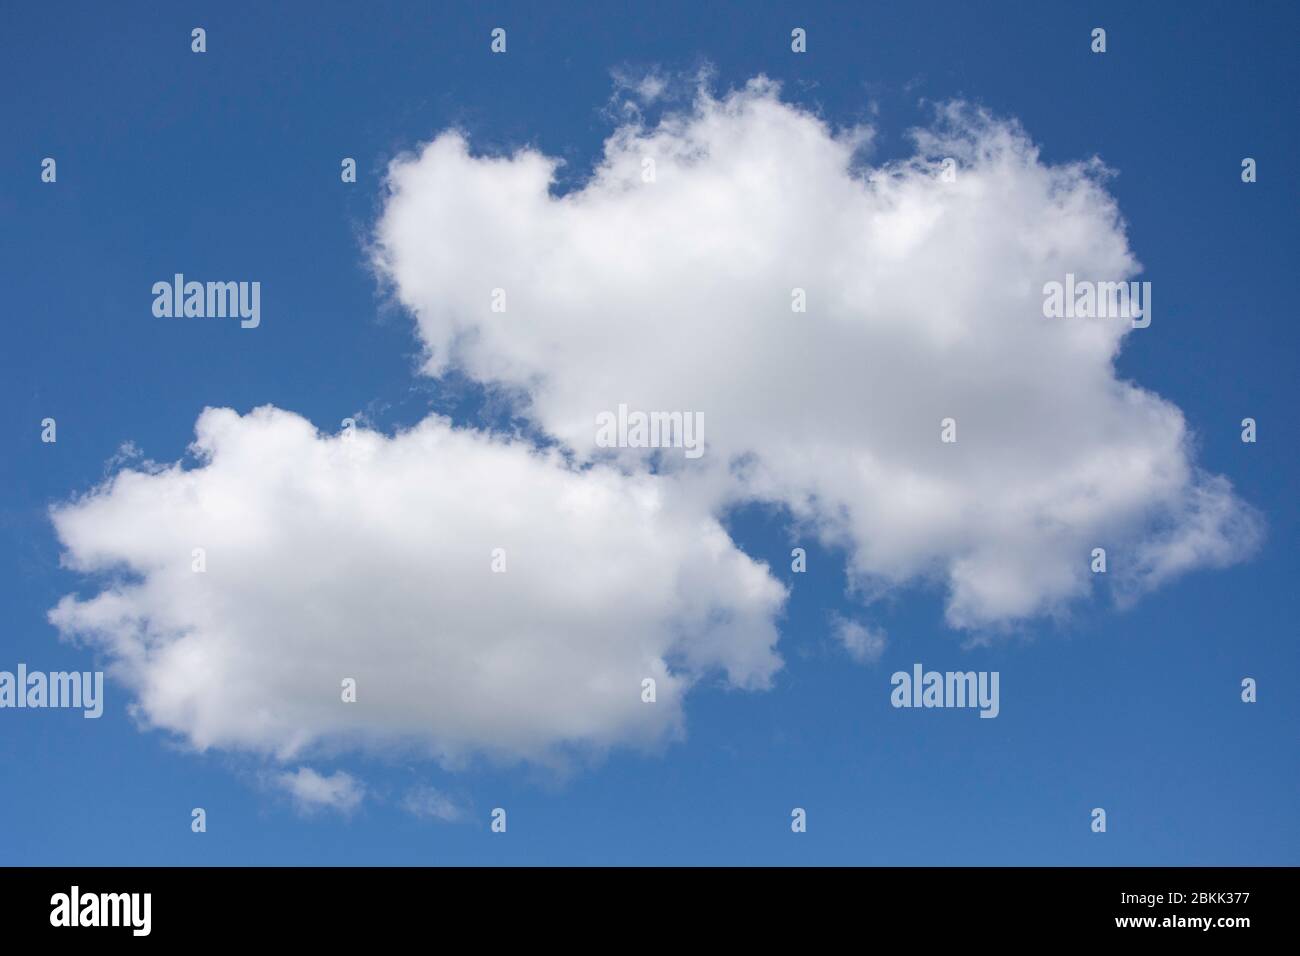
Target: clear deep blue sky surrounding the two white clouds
227,166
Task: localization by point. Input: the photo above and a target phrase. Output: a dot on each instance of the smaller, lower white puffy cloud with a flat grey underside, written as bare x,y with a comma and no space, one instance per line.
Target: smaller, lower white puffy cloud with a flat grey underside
371,559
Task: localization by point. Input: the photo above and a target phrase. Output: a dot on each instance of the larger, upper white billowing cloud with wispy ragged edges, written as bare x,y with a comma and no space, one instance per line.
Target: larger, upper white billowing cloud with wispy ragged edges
925,301
